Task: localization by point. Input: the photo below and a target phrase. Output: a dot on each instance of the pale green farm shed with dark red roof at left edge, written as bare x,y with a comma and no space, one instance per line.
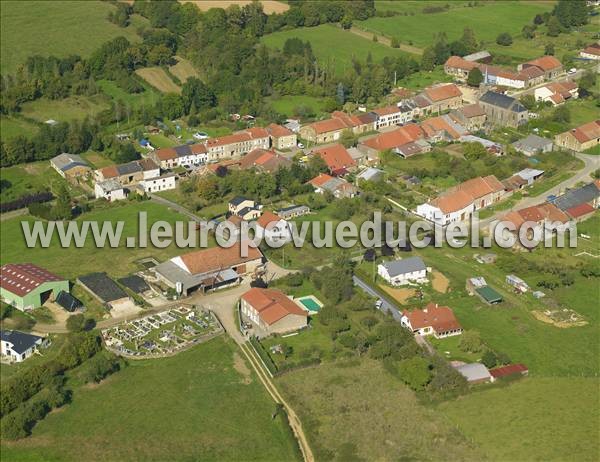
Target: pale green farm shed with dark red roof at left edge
26,286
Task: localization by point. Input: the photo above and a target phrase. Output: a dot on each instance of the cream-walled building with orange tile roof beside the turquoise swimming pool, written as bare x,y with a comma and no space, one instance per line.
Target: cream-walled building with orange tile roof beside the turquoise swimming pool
272,311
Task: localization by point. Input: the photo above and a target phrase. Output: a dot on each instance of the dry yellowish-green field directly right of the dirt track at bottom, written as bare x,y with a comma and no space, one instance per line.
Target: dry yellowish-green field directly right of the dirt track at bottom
357,411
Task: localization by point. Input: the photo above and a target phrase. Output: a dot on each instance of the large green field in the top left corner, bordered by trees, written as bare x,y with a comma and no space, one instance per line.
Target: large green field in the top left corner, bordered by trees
58,28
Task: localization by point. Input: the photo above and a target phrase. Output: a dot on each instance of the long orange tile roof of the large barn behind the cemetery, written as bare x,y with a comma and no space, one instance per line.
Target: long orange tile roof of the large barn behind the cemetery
217,258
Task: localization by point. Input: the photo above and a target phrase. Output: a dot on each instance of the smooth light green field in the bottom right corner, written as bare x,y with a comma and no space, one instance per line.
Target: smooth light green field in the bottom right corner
552,419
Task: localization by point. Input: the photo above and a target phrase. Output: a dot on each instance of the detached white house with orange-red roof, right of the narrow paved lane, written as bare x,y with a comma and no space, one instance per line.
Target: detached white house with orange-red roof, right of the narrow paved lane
435,320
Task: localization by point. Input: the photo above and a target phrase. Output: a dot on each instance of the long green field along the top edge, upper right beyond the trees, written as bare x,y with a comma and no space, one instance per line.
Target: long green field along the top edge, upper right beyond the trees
487,21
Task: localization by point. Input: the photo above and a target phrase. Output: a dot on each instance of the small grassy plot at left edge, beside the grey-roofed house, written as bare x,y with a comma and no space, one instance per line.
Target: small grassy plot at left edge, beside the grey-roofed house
27,179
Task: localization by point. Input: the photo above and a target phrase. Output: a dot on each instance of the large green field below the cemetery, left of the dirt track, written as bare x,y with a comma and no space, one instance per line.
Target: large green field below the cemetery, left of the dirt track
203,404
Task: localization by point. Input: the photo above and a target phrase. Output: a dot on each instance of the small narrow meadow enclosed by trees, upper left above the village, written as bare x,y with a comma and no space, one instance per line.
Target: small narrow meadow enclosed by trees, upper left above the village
64,110
